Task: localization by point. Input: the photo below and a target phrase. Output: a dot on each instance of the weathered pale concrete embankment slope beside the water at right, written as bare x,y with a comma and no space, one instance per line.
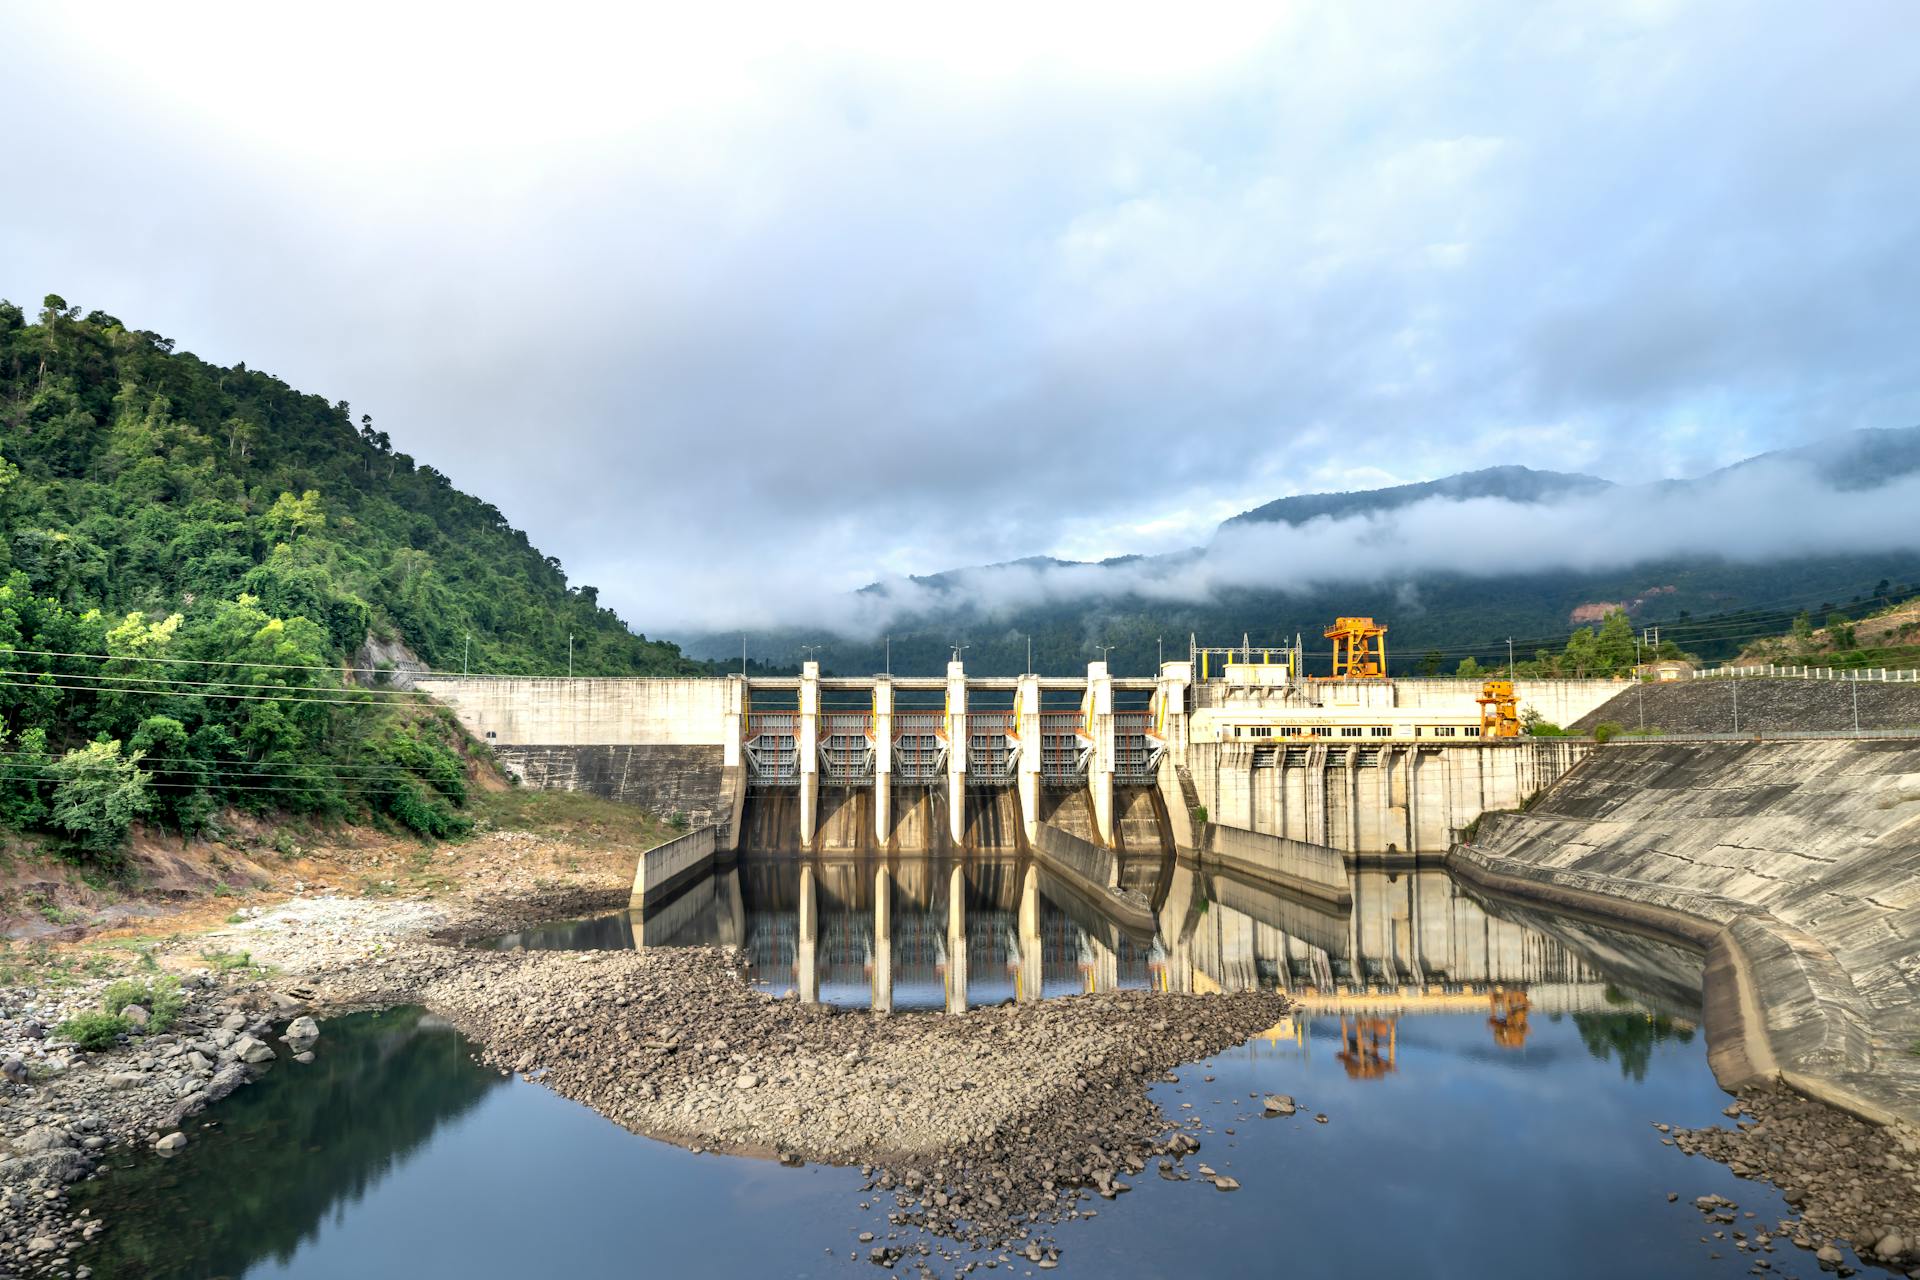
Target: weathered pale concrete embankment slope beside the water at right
1796,866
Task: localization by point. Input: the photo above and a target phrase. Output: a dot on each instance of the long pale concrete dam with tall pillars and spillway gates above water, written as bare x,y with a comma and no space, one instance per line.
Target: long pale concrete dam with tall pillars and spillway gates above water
1355,765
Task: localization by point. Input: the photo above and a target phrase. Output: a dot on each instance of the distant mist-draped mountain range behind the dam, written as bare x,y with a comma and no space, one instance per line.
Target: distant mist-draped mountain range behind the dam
1454,565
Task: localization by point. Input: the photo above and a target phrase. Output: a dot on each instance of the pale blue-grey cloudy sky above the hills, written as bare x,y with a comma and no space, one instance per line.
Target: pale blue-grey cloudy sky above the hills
750,310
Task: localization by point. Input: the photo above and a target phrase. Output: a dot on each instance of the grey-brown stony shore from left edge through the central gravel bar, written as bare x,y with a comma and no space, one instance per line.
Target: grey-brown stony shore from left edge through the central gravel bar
986,1127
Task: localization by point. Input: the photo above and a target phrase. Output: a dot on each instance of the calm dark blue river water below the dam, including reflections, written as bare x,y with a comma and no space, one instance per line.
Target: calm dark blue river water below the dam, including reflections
1491,1083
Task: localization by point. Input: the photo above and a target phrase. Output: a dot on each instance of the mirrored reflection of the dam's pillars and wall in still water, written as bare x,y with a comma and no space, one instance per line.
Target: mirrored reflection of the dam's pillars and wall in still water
942,932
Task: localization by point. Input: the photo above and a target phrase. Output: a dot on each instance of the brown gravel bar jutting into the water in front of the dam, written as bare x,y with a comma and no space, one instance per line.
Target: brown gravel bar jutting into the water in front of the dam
986,1126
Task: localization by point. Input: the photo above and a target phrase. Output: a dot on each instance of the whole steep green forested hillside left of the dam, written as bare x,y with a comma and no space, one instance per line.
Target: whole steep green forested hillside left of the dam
191,559
